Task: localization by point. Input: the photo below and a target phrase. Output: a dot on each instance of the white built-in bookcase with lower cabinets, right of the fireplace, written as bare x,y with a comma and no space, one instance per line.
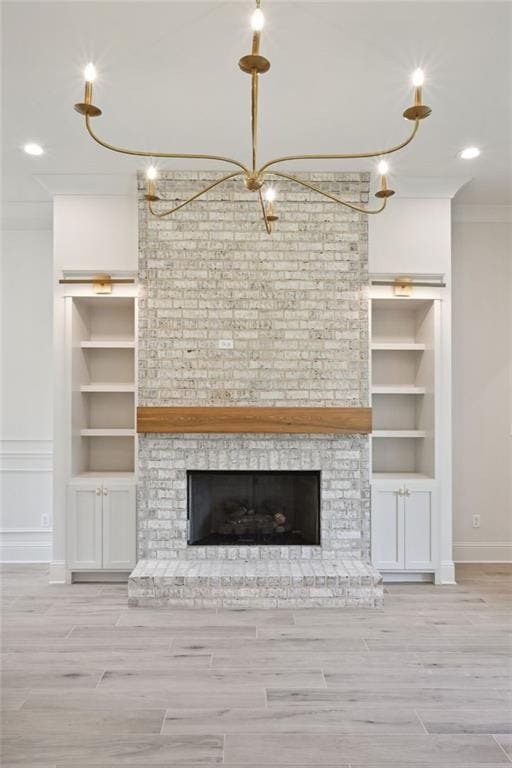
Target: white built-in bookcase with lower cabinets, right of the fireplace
405,391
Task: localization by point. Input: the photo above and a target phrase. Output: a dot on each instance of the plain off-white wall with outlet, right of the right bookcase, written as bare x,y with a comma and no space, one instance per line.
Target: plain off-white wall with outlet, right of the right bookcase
482,386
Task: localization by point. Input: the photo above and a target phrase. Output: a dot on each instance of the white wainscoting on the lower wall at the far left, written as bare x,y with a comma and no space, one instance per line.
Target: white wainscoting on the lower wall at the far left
26,480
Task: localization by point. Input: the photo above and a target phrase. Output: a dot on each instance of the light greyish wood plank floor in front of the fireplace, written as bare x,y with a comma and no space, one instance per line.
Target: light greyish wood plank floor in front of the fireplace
424,683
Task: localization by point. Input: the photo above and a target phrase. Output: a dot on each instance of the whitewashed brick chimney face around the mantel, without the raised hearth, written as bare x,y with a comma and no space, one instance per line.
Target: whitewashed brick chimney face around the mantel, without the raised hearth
295,305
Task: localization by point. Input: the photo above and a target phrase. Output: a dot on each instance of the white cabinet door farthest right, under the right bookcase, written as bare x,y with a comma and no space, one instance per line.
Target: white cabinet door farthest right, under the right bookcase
419,528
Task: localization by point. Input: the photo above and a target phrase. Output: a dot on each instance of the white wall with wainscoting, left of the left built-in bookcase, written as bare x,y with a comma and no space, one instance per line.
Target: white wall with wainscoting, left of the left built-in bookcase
26,427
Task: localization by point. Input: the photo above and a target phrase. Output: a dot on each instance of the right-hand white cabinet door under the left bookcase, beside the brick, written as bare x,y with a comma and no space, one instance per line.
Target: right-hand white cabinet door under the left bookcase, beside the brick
118,526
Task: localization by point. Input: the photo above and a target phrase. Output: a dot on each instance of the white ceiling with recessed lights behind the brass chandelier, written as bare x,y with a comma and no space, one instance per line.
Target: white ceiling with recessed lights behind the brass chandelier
169,80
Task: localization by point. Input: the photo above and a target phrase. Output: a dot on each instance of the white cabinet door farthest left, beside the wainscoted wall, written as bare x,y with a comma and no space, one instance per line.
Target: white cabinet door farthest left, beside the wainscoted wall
84,532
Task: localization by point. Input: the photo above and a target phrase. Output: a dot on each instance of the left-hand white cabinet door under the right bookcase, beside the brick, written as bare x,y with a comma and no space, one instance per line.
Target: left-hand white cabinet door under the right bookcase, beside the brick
387,528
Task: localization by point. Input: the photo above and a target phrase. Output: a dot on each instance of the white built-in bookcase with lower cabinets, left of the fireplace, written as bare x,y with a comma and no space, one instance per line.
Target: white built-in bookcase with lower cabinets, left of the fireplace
101,370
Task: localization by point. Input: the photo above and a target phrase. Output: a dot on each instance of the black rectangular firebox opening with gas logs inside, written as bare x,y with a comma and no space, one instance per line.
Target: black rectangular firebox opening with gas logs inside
253,507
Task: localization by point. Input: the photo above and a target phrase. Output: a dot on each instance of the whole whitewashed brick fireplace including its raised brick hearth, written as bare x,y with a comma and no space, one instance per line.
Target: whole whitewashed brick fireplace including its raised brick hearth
293,309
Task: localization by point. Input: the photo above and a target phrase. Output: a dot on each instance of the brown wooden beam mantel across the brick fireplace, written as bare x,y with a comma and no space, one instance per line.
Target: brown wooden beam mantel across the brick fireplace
253,420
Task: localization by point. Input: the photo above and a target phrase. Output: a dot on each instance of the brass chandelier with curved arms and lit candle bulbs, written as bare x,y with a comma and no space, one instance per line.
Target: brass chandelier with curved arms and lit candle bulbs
256,177
